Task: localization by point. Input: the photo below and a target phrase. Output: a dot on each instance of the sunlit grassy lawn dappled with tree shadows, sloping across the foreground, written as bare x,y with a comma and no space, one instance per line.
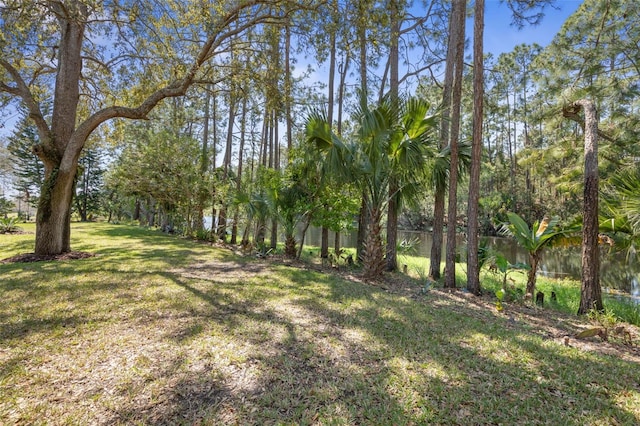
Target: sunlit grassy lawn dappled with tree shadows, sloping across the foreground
160,330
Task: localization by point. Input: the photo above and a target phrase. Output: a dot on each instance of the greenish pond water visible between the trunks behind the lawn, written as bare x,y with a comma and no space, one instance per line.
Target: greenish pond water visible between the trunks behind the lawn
616,274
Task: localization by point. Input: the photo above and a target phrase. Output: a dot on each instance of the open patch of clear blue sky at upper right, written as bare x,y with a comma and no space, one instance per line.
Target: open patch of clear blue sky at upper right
501,37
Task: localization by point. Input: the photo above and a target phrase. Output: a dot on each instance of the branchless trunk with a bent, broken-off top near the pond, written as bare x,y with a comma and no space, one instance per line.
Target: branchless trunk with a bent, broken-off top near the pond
591,293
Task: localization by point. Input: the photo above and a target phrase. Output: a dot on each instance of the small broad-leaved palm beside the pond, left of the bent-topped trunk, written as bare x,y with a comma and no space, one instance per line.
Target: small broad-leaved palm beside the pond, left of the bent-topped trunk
534,240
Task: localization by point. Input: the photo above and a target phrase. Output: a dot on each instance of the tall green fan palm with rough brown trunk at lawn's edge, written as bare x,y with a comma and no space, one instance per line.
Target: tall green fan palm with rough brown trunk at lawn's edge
390,143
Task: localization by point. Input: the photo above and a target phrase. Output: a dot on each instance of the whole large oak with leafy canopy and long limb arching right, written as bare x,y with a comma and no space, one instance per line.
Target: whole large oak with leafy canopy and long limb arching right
96,61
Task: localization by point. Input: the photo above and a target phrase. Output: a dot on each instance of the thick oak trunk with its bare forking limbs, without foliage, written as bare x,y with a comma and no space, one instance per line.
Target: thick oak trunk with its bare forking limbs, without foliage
61,143
